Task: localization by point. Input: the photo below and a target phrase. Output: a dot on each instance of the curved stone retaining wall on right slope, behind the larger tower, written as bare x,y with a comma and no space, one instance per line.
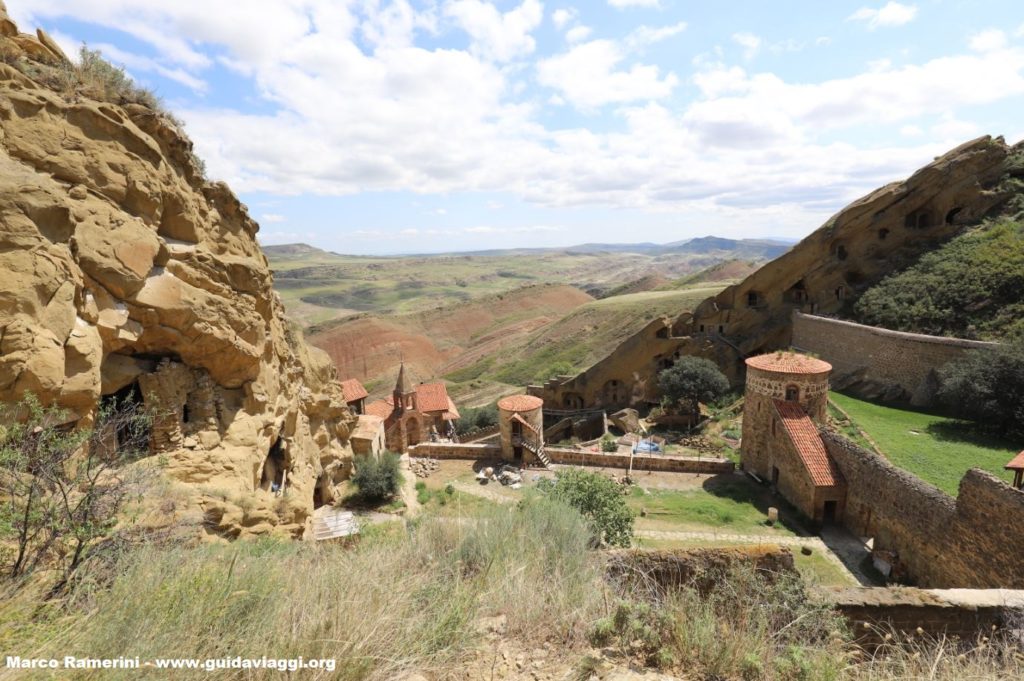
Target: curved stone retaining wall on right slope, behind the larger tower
878,363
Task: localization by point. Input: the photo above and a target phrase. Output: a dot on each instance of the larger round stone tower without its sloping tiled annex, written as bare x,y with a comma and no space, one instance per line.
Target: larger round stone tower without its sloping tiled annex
786,377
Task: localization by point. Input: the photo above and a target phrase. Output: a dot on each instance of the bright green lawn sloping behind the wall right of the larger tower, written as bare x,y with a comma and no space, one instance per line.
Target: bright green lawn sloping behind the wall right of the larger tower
936,449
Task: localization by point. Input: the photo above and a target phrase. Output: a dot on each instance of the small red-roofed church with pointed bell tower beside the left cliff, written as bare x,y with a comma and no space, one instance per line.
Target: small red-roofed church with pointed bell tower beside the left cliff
415,413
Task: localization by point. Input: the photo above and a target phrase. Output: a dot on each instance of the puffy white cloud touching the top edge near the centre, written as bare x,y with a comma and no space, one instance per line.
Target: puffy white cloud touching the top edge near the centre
495,35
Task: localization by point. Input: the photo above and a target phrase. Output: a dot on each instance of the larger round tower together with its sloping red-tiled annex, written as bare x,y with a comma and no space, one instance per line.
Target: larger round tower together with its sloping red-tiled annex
786,399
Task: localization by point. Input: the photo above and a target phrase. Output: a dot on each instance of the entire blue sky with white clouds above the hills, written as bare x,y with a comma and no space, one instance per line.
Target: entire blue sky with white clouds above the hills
394,127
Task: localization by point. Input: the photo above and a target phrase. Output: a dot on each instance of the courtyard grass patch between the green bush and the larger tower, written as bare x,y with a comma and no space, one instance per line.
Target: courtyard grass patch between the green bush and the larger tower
732,506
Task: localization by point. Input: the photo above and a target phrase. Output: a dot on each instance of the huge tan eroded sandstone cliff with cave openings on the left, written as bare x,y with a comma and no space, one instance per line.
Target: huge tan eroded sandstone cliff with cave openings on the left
124,273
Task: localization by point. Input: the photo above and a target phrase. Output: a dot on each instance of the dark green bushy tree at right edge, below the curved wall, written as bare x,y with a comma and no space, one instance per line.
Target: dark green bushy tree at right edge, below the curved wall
988,387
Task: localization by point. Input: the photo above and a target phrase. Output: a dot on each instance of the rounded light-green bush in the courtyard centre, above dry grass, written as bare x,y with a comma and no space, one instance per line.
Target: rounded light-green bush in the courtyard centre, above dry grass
599,500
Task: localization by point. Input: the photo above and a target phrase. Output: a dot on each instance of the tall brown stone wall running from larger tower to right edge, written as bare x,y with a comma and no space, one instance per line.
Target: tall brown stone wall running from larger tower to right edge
973,541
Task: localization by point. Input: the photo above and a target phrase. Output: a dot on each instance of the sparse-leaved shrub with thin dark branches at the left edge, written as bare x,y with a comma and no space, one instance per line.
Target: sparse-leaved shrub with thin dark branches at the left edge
63,487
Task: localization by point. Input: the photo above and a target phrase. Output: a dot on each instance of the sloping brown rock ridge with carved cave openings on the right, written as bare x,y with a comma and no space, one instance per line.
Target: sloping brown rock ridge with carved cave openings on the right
880,234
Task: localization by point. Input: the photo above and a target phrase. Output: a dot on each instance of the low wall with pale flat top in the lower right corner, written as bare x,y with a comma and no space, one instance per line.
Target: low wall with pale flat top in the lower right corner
962,613
